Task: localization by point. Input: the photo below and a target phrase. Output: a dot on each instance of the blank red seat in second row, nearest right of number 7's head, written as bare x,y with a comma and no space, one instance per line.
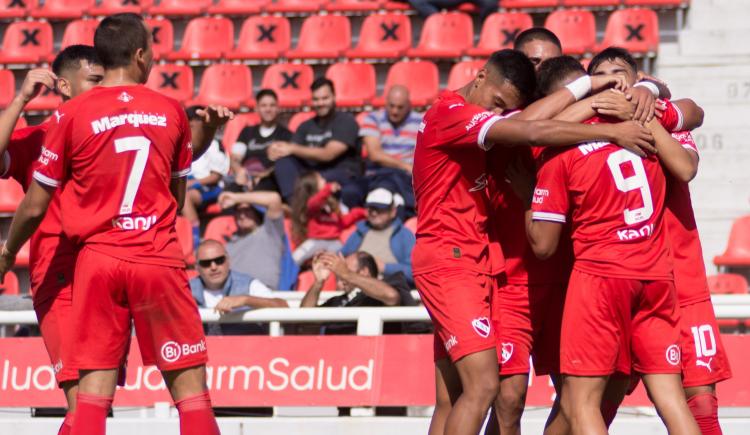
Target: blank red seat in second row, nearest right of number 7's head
206,38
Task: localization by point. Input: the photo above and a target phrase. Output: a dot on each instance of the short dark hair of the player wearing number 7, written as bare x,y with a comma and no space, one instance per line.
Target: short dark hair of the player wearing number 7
118,37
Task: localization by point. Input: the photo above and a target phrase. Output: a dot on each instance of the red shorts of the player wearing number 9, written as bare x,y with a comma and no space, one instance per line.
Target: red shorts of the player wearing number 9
610,324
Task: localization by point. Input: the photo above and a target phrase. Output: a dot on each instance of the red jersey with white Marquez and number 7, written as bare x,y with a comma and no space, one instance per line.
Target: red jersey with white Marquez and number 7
114,150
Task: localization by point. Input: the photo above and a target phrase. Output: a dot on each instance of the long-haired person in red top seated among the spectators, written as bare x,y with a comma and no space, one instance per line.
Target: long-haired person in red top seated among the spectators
317,220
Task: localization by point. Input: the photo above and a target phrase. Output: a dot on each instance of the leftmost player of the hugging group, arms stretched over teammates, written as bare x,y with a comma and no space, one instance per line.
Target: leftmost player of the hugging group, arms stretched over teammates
455,265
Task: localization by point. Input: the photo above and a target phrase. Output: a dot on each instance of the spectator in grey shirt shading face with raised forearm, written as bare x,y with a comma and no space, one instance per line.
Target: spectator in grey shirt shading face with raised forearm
258,245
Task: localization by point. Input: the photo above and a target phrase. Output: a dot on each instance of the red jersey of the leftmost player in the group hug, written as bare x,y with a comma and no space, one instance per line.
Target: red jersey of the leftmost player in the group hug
450,186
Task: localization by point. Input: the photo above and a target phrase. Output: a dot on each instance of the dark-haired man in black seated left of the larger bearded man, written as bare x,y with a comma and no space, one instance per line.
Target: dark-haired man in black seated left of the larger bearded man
252,168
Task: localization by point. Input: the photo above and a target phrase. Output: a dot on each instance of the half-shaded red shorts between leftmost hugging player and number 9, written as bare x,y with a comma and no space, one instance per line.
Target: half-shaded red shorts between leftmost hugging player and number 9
527,320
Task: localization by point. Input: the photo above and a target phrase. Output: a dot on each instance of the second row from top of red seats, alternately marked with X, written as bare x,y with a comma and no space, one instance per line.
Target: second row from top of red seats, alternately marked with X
383,36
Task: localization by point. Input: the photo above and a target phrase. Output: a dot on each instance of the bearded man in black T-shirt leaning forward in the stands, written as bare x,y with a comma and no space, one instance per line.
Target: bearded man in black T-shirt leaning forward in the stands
327,143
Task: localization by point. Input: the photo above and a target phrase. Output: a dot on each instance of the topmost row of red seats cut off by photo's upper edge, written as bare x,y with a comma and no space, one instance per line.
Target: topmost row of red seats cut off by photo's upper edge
72,9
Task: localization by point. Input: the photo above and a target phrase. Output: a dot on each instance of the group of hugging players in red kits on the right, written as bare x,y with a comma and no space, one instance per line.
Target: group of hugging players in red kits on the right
555,221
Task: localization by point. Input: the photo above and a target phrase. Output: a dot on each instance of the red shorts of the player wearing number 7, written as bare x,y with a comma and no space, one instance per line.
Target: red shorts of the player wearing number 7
108,293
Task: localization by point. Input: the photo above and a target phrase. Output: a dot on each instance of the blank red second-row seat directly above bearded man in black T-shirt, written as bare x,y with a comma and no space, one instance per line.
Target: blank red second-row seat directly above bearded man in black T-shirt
322,36
